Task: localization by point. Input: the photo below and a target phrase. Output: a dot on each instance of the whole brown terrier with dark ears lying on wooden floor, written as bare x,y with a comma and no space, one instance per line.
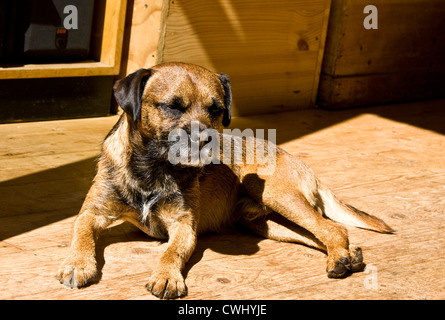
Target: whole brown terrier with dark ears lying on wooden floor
136,182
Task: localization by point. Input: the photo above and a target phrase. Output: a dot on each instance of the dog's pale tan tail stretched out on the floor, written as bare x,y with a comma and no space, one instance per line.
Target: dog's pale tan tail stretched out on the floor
339,211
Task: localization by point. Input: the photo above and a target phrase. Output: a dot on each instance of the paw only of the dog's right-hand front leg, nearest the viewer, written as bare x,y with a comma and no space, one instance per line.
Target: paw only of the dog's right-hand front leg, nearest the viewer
167,284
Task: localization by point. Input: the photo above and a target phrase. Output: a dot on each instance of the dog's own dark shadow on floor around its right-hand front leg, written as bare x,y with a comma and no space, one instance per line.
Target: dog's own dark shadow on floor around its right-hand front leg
235,240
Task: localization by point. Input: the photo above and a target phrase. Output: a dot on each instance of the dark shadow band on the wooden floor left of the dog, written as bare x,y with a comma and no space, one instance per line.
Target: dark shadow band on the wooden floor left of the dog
42,198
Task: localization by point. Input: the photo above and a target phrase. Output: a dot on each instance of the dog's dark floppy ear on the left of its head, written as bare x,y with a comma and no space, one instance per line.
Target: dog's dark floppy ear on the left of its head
128,92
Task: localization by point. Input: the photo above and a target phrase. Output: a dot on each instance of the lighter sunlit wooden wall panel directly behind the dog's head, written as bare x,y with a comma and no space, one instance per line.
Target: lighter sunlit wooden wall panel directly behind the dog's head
272,49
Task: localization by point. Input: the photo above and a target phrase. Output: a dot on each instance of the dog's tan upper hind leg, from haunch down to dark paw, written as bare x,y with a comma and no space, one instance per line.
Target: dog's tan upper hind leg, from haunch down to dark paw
290,189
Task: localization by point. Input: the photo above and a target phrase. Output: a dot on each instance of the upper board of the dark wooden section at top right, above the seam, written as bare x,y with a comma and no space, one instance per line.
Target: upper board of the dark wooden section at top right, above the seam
410,36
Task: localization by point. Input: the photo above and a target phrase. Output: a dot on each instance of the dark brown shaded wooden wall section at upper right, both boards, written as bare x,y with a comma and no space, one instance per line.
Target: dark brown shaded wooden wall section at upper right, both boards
402,60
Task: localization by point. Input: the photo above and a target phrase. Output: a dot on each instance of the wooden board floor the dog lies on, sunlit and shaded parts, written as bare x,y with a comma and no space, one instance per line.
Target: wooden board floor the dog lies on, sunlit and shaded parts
388,160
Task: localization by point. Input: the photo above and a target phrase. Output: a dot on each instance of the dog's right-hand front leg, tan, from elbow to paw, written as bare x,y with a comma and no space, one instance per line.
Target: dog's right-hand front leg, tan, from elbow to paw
166,281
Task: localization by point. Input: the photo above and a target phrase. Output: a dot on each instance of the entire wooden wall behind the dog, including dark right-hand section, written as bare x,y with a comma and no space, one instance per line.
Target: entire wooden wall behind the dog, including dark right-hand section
273,49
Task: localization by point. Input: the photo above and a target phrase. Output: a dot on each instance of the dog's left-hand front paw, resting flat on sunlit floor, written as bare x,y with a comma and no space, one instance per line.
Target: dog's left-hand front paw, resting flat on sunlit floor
76,273
